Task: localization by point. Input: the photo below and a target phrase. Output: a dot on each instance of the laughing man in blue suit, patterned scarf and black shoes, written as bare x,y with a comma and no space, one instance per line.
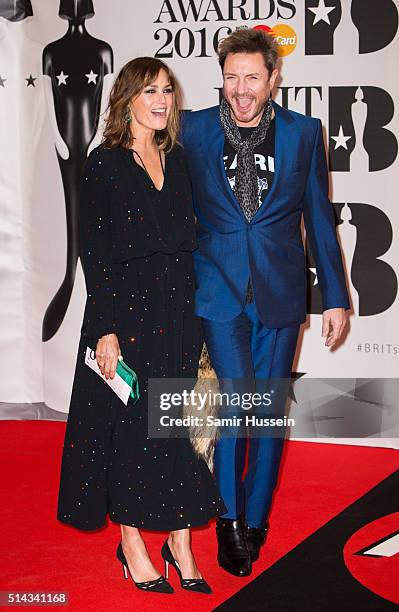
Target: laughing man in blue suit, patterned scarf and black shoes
256,168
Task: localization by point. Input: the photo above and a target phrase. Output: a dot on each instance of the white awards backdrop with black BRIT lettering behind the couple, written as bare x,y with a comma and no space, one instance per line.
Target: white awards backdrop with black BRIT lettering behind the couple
57,64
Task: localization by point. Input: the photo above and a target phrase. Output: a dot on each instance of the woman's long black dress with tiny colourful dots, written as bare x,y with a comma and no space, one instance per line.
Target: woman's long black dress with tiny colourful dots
136,245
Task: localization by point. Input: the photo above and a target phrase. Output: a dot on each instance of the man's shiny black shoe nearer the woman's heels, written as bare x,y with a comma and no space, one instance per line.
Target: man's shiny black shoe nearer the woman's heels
233,552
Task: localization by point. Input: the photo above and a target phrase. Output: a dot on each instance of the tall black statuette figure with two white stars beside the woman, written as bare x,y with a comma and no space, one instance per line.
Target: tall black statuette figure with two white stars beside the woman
75,67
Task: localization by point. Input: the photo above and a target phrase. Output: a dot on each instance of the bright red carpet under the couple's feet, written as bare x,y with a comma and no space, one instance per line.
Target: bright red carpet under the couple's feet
40,554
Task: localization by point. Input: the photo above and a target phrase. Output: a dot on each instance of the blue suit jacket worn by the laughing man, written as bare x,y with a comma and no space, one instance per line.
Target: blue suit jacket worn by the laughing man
269,249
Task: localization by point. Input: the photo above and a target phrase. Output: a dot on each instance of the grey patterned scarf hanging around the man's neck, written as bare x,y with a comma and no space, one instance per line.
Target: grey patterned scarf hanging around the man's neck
246,182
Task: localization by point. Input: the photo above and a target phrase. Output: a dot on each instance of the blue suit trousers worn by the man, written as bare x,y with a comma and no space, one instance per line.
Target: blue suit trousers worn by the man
243,348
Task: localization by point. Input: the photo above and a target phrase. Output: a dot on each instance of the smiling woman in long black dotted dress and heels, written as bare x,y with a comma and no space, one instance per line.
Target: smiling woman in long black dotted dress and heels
137,234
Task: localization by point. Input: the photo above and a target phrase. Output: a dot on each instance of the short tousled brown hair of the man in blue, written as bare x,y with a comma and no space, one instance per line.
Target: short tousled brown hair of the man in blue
250,41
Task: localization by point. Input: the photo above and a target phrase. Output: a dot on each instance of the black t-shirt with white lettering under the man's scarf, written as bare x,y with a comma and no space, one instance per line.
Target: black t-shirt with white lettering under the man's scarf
264,160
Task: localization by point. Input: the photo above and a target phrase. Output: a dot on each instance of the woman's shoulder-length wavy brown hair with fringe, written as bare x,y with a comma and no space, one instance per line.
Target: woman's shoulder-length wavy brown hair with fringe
130,82
